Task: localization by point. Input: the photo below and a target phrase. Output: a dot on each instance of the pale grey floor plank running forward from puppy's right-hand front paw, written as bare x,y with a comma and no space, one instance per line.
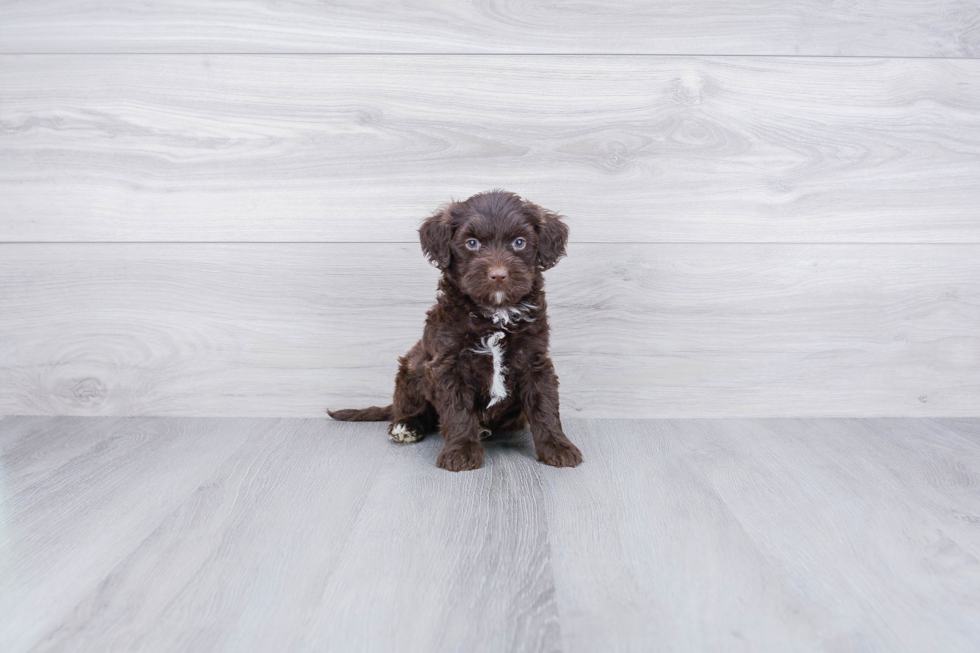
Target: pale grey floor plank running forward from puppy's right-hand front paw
646,556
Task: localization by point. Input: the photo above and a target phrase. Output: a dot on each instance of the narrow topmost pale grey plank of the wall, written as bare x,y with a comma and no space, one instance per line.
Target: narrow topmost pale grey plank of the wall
934,28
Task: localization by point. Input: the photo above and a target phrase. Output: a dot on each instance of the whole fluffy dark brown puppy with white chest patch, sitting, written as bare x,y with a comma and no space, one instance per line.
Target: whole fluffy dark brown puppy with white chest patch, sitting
482,363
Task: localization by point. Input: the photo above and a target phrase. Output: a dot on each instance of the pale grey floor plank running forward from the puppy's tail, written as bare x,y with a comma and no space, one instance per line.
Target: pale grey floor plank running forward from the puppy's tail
255,546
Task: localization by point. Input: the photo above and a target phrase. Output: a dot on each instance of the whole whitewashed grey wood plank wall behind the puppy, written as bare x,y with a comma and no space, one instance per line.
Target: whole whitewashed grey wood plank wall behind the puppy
210,208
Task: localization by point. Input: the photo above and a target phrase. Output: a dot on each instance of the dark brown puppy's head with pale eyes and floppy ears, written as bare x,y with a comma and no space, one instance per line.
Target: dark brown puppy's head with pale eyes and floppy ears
493,244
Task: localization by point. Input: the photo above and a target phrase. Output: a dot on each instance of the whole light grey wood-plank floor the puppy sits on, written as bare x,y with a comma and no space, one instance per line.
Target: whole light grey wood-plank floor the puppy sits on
273,534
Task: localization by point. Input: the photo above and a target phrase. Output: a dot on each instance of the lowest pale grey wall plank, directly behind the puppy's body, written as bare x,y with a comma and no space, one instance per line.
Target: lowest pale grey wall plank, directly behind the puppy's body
638,330
